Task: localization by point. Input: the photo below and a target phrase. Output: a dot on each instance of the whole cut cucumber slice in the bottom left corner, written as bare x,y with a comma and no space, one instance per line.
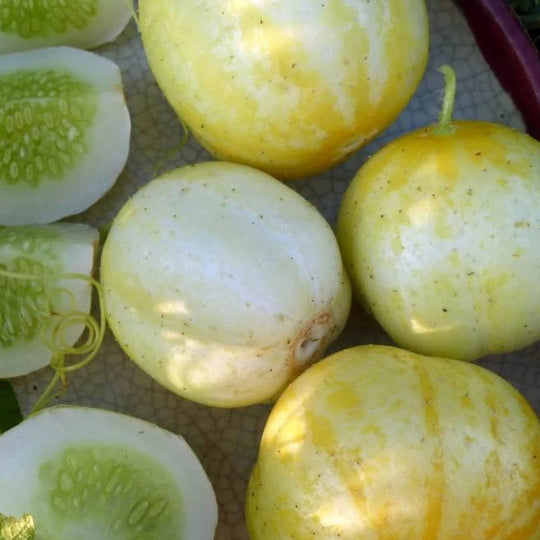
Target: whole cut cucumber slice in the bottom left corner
90,474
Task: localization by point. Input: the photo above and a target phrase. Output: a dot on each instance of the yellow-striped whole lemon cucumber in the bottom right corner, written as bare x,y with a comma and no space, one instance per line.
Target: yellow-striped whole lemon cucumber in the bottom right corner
377,443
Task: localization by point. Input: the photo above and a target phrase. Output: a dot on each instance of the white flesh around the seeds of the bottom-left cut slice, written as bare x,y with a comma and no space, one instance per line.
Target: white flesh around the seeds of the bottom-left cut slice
45,435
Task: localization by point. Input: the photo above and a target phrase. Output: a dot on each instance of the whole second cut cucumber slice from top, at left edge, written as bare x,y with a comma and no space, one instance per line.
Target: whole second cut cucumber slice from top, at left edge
64,133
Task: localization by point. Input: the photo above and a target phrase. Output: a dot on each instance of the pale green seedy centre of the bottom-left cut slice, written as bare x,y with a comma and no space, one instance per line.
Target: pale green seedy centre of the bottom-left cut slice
107,492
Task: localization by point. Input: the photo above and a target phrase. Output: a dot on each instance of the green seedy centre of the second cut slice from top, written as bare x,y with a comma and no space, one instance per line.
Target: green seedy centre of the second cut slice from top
44,116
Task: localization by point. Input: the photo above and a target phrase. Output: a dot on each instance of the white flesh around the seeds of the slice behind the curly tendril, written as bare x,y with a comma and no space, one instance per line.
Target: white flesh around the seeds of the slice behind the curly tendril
75,246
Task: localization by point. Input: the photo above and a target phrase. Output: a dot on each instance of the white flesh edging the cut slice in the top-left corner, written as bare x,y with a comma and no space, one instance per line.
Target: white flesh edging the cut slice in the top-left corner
109,22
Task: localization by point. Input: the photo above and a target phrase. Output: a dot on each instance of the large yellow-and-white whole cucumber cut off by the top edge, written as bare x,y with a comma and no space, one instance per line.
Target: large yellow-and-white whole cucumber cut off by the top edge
289,87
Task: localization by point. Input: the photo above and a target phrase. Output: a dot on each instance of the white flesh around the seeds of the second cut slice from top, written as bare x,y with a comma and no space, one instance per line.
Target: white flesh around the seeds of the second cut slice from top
108,141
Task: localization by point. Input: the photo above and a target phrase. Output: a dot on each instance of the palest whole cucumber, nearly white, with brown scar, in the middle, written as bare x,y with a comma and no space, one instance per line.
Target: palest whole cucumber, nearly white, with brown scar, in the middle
223,283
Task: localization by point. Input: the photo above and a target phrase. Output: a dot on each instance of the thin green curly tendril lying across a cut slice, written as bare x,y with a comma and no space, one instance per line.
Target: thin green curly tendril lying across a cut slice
55,329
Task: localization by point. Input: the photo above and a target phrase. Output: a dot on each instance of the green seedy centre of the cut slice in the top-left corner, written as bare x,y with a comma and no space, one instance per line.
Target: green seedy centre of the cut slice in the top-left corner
31,18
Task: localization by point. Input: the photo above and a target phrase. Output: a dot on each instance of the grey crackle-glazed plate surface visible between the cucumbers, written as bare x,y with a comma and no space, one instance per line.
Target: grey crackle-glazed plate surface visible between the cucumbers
226,441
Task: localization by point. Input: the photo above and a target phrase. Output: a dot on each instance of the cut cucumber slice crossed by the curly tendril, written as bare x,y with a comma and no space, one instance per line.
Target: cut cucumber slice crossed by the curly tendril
28,304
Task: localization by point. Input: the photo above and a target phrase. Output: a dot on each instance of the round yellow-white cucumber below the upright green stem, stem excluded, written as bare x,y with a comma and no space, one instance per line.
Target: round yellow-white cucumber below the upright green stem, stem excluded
440,234
